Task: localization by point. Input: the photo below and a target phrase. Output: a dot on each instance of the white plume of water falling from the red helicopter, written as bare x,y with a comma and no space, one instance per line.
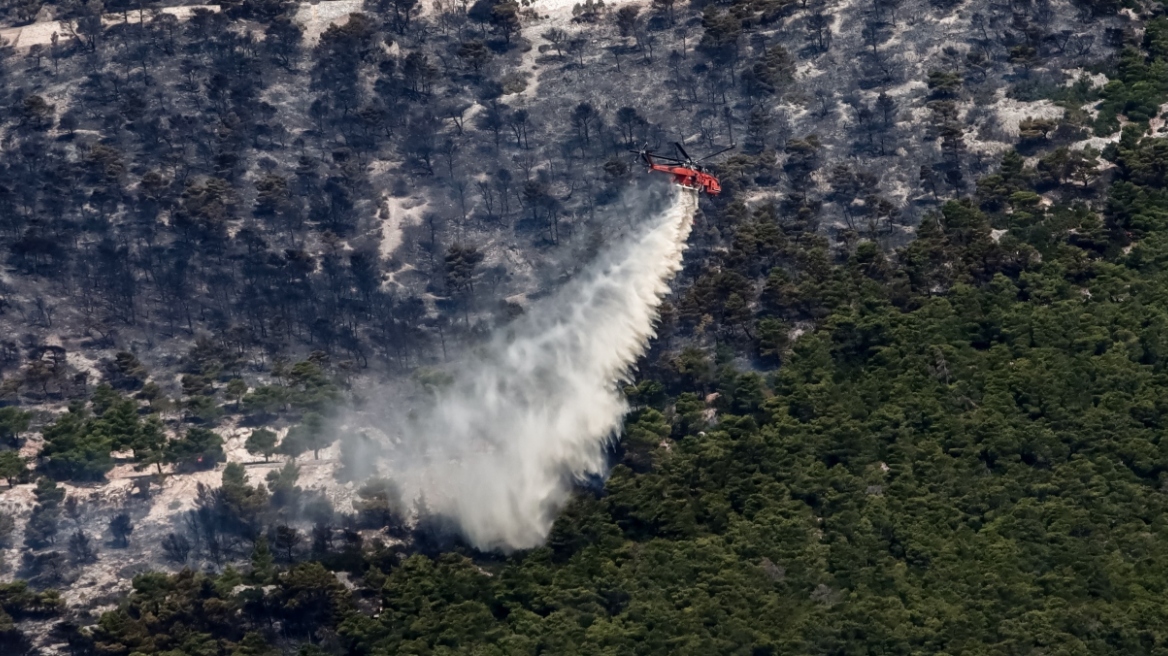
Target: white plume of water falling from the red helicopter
533,411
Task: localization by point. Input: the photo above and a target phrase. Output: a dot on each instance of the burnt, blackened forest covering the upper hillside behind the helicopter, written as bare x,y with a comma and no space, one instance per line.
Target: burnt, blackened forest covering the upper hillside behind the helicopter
224,176
